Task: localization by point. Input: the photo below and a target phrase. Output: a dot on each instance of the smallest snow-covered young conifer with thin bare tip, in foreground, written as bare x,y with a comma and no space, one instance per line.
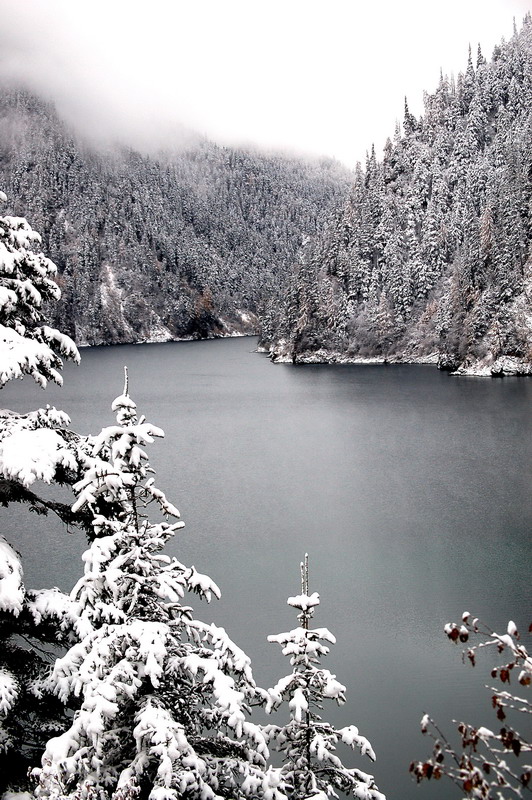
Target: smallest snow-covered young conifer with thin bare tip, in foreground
312,768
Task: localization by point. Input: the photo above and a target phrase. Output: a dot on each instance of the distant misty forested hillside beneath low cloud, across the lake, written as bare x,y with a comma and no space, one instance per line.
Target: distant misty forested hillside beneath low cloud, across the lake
188,244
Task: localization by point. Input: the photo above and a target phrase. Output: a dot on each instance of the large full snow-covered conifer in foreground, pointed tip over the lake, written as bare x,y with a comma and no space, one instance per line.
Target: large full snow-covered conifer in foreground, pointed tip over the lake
163,697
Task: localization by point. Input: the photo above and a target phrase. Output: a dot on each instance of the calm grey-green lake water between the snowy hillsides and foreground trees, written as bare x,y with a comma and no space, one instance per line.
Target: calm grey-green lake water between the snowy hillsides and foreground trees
409,489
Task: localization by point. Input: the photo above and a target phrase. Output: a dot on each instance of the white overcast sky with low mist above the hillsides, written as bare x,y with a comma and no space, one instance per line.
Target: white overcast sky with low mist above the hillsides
325,77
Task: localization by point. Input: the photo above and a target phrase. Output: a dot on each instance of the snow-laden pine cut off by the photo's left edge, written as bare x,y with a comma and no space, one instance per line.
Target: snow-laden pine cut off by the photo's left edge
33,446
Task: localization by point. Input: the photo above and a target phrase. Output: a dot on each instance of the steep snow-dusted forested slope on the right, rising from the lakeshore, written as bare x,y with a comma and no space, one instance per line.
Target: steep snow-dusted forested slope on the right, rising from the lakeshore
430,257
